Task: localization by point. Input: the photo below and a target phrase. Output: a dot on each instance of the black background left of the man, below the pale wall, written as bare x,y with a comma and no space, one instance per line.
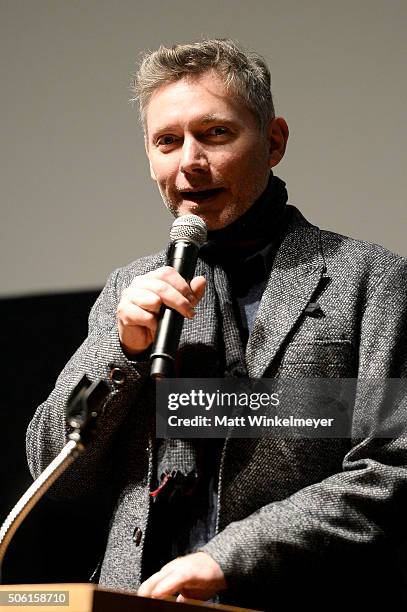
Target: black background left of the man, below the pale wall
59,541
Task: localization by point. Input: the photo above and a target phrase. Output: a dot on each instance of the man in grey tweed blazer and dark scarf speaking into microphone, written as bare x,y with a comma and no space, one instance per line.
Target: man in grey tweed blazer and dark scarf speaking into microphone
255,521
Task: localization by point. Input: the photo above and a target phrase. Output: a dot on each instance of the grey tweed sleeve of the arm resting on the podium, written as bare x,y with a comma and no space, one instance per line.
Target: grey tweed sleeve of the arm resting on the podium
348,512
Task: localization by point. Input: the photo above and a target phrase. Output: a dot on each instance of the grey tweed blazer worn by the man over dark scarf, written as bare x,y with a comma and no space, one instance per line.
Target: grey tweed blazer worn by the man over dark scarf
297,518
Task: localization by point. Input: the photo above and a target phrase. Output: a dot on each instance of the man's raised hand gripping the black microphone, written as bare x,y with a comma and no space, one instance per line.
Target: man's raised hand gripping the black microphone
141,302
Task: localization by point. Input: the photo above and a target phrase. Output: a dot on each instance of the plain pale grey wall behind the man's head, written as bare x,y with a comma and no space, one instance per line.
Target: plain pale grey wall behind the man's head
76,196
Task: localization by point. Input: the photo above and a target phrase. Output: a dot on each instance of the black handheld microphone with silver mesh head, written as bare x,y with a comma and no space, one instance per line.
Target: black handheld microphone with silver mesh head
187,235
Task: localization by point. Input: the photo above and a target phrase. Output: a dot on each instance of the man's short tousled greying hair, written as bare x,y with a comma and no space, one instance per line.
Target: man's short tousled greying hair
245,74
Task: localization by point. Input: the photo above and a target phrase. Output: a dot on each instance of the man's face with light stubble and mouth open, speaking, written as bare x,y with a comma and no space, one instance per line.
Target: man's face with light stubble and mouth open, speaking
206,150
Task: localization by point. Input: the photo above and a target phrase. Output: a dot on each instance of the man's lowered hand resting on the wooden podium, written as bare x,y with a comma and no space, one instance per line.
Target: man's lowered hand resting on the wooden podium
195,576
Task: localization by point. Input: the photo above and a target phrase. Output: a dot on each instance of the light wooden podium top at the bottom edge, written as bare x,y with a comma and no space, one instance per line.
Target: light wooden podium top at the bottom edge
91,598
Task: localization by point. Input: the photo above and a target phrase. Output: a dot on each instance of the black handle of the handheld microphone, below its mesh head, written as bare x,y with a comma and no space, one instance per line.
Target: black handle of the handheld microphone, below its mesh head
182,256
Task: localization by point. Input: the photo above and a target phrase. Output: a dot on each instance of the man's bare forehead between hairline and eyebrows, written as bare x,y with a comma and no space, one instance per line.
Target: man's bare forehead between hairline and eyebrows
196,98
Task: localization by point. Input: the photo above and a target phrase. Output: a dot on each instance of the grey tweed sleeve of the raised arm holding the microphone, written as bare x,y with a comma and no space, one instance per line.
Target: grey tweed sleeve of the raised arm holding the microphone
97,357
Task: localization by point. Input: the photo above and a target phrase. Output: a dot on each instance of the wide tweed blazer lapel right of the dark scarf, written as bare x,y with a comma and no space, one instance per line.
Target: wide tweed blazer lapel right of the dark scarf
296,273
